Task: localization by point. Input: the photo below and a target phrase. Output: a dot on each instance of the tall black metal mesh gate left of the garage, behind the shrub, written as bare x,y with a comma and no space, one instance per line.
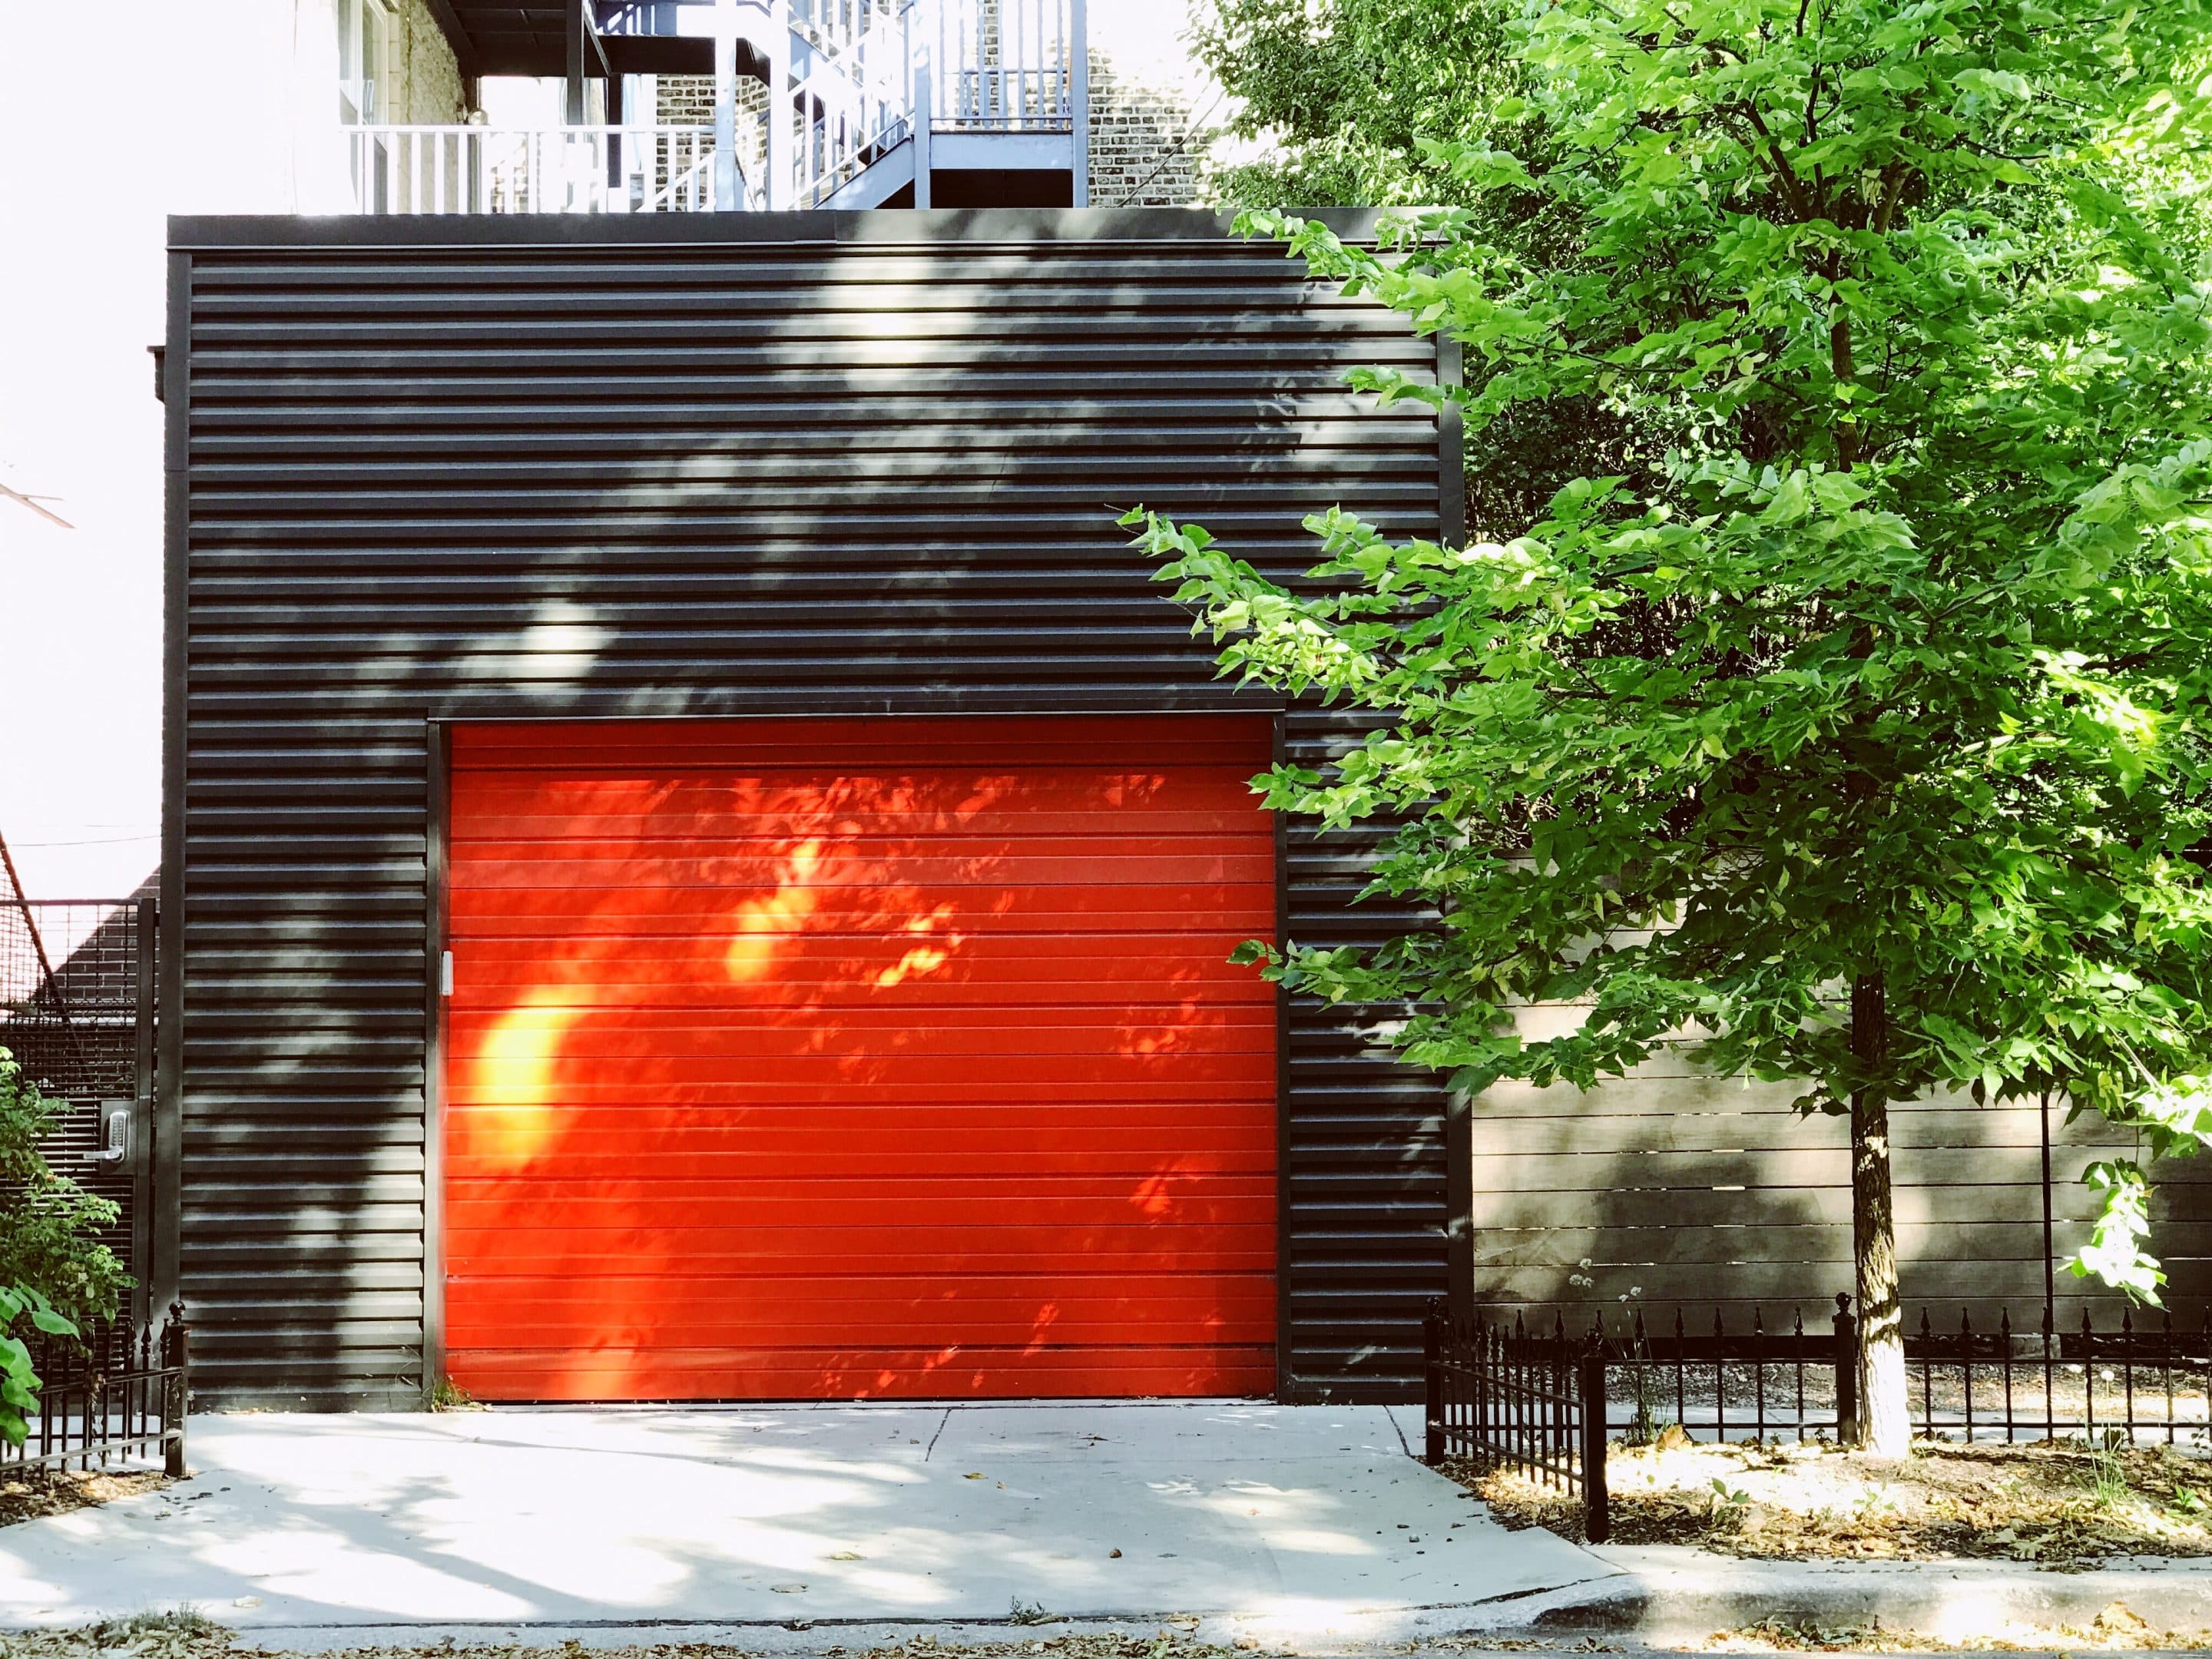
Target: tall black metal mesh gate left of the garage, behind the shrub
76,1010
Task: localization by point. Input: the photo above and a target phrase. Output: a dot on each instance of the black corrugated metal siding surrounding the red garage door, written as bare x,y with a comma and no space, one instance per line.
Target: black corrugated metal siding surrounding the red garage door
831,463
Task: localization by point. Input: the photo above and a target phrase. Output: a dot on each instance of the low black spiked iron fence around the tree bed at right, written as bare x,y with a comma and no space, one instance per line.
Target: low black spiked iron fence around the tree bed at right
1547,1401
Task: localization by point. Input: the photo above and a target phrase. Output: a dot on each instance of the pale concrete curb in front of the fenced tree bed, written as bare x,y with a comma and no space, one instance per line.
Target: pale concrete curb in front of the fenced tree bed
1671,1594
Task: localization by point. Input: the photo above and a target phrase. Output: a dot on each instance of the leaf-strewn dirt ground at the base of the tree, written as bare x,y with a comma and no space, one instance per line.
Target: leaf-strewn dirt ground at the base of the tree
2060,1505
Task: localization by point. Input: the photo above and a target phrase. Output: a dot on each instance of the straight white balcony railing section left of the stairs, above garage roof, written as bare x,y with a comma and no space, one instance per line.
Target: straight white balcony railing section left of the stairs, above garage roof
532,169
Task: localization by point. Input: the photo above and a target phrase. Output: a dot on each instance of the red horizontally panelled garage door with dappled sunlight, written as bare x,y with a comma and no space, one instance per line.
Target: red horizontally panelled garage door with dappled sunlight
859,1058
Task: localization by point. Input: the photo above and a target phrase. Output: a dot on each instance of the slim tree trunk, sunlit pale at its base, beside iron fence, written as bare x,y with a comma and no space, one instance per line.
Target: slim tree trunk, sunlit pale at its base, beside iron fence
1884,1412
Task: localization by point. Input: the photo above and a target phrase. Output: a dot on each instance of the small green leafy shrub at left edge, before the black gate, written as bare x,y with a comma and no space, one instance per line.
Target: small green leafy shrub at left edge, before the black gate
54,1271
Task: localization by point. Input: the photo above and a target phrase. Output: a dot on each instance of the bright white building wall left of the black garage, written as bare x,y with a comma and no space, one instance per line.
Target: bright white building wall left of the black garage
207,107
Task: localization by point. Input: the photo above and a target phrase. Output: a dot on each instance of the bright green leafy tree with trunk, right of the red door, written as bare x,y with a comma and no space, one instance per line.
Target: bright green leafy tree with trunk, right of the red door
1857,722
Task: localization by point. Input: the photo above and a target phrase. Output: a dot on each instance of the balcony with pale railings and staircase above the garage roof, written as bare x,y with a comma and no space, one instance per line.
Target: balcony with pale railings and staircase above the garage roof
879,98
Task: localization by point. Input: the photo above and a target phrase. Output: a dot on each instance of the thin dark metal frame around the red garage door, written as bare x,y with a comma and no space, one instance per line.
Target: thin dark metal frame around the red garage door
435,1003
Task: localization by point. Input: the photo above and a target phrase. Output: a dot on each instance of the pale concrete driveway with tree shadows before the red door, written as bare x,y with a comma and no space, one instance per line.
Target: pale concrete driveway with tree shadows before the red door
313,1530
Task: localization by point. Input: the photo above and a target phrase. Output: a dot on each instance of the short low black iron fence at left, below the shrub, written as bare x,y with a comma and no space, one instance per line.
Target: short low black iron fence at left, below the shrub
112,1399
